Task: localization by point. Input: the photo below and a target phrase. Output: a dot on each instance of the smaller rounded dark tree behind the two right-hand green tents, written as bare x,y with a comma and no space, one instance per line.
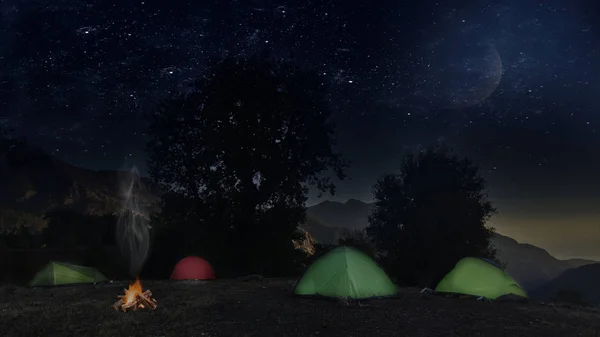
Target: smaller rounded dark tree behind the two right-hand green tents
430,215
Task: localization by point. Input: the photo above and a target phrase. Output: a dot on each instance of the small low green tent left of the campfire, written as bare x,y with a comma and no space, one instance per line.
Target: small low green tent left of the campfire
60,273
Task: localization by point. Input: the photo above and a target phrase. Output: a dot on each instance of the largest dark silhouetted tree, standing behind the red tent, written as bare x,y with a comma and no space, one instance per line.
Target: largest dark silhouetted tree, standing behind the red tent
236,156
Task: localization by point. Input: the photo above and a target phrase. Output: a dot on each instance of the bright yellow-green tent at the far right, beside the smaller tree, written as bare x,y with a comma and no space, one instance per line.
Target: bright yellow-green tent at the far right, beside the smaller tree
479,277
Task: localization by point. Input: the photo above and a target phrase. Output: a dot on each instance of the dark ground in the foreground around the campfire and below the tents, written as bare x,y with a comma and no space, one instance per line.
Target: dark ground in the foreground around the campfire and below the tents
266,308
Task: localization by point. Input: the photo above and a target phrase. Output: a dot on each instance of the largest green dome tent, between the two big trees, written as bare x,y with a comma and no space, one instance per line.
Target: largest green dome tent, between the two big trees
345,272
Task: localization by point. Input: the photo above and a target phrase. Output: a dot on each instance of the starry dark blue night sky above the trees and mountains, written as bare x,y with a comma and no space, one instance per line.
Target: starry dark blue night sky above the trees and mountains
514,85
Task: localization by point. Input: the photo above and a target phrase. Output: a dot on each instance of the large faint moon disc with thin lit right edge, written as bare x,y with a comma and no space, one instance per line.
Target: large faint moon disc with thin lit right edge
460,74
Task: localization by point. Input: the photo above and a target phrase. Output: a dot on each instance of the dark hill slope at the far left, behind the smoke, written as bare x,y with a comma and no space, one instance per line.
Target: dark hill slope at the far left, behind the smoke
34,182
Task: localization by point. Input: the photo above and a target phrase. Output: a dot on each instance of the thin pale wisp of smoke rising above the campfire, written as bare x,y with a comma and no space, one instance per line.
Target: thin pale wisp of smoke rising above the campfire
133,231
